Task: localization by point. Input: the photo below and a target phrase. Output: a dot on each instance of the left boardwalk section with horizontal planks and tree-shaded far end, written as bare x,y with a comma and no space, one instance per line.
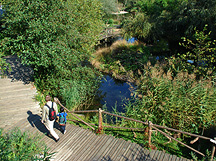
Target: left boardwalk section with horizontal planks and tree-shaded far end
17,93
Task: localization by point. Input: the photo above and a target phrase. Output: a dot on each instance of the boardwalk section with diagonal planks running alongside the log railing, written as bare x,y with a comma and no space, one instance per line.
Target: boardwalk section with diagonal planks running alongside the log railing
80,144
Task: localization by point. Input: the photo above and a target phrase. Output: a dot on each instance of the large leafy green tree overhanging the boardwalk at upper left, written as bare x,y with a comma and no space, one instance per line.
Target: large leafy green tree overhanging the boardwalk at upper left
55,38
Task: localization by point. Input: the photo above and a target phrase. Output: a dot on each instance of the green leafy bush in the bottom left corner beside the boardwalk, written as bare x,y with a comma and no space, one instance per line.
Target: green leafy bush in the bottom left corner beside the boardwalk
16,145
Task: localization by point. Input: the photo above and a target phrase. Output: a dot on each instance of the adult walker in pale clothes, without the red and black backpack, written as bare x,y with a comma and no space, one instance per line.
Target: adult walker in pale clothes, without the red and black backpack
45,117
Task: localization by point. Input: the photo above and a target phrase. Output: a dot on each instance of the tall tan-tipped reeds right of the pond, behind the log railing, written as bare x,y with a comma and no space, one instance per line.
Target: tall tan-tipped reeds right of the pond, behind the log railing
180,102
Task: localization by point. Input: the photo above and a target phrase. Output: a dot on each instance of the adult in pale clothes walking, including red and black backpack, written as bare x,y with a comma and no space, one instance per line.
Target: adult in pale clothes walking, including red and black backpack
49,114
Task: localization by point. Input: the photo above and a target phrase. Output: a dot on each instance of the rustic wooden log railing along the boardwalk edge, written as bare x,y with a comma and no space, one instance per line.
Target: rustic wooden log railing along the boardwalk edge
148,123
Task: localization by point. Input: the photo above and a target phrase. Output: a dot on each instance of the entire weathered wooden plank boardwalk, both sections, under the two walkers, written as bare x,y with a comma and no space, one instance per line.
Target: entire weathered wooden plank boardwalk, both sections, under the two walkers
20,110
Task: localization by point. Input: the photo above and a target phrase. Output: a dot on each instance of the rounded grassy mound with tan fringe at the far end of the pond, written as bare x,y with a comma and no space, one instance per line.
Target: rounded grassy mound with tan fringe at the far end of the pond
123,60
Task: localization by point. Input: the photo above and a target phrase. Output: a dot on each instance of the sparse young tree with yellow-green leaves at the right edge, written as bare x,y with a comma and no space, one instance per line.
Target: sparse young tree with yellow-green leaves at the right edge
201,51
